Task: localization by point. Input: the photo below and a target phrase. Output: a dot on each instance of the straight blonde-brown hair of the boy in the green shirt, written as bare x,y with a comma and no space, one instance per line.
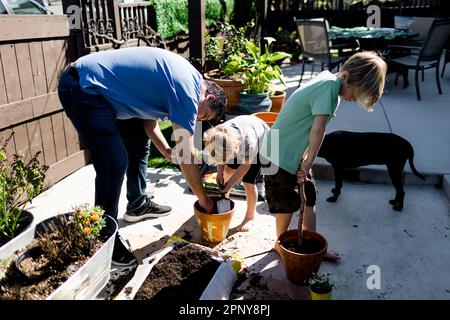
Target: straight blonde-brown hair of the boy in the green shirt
367,74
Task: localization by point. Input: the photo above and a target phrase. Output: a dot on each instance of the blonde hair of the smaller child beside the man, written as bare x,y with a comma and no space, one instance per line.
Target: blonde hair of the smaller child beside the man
221,144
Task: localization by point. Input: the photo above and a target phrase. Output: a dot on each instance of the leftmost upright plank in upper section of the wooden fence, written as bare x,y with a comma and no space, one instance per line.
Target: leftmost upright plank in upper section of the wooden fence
10,72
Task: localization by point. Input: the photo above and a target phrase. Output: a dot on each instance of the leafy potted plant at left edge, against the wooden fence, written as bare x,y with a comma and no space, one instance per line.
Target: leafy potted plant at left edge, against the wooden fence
20,182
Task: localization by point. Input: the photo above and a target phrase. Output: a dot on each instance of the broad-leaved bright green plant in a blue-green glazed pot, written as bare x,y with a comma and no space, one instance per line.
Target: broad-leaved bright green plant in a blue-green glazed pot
258,71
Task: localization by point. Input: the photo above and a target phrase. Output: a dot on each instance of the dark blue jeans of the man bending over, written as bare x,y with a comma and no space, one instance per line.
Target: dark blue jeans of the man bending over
95,121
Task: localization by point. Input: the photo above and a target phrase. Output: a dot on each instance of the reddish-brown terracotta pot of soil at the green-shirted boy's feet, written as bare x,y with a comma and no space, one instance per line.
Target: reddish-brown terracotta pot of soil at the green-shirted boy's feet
300,267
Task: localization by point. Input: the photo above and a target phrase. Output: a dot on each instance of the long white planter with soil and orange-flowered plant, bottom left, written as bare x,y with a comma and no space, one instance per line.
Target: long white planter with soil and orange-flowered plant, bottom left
67,256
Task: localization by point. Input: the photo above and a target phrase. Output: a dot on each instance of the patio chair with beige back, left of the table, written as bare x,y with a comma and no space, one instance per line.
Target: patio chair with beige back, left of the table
315,45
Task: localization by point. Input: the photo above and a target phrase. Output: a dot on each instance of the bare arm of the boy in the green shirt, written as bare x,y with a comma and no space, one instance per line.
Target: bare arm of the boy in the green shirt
315,140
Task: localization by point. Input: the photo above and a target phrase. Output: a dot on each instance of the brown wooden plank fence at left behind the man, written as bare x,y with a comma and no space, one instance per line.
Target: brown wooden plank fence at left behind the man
33,52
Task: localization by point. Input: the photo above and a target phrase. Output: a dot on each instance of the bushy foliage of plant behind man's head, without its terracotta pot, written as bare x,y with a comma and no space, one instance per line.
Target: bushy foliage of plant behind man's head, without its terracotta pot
218,50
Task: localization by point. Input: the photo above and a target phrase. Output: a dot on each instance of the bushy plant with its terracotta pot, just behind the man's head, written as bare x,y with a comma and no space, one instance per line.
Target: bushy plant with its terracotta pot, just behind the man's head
218,50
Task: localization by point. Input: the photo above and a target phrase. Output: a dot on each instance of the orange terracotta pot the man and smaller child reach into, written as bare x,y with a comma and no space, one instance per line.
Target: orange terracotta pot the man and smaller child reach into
214,227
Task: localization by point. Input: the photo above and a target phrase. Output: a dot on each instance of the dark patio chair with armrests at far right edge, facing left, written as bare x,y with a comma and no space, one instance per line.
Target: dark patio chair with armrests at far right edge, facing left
427,56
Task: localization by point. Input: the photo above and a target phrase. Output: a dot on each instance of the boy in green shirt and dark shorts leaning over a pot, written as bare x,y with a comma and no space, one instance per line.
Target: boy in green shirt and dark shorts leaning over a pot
300,127
